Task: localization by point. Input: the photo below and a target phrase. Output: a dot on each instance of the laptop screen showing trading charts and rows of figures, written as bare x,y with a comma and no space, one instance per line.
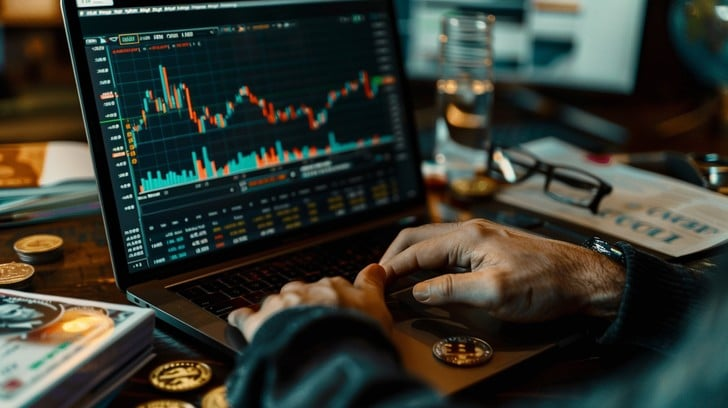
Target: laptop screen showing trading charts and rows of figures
217,124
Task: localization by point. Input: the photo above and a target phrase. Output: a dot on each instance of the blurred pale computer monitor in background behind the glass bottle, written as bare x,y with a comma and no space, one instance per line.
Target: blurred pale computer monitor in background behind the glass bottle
590,45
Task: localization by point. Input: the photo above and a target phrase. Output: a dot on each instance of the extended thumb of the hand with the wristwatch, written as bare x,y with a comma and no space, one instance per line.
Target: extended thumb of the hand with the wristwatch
454,288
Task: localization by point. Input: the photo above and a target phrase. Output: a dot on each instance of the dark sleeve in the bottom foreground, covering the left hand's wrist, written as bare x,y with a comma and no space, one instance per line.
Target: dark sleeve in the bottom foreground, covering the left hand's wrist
324,357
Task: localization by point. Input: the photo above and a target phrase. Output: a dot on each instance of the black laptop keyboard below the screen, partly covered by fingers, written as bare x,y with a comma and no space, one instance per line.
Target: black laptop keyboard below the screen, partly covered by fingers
249,285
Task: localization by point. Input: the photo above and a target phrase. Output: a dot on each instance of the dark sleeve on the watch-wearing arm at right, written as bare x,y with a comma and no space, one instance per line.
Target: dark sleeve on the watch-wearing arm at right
658,300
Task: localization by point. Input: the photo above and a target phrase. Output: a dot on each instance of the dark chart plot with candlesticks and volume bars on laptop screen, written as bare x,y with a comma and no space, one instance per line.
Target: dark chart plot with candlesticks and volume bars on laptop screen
183,126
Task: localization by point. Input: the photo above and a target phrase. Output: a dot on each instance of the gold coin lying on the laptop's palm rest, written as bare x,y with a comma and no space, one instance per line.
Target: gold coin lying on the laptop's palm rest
462,351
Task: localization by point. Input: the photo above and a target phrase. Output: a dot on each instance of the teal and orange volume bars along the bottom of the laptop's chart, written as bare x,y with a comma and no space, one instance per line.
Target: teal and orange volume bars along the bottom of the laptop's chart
203,167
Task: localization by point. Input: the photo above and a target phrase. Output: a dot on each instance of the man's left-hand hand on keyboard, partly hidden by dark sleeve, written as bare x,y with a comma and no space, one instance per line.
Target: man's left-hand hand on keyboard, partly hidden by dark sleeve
365,295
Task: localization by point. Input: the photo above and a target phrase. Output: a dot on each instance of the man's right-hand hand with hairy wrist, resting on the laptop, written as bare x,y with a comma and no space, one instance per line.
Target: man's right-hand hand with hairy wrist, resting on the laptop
514,275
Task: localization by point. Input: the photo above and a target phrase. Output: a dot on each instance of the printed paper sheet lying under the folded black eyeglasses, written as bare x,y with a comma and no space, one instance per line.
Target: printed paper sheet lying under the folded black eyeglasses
654,211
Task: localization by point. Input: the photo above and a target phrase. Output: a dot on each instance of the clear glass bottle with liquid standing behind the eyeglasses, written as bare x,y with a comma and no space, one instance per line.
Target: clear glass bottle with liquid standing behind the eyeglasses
464,93
